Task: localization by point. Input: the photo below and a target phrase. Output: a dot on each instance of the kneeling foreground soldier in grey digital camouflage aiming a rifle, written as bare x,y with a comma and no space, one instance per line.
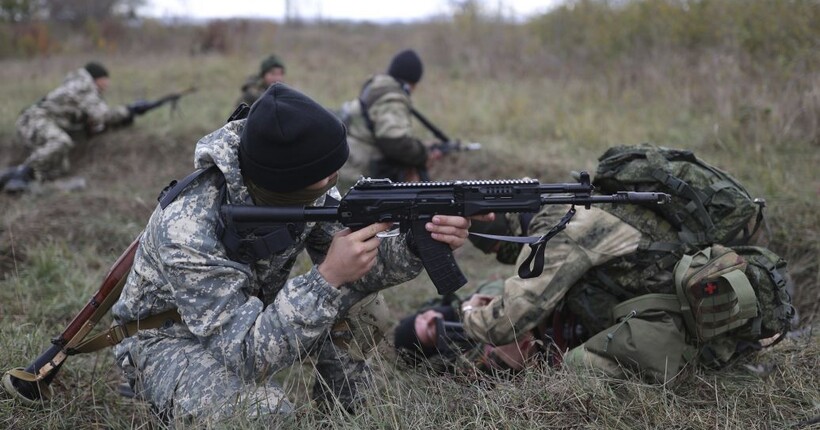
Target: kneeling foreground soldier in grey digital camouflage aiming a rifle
243,315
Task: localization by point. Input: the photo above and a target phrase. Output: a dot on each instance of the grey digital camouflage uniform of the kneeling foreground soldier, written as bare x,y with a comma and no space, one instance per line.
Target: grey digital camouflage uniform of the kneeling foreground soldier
241,323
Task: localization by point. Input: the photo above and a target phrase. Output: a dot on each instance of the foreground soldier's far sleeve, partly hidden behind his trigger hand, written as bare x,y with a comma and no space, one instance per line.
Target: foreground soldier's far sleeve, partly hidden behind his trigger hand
395,264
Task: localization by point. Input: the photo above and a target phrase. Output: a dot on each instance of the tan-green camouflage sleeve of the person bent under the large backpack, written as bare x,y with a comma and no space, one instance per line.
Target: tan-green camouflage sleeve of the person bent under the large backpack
592,238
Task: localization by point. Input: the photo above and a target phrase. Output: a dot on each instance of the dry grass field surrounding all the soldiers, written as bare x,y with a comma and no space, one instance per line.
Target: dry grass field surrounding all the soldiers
537,113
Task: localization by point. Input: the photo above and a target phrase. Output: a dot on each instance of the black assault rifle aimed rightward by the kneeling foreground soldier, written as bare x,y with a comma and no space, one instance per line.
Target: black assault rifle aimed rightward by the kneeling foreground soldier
413,204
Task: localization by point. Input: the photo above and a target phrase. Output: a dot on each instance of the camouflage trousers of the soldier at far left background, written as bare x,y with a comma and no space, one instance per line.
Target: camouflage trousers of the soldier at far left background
49,145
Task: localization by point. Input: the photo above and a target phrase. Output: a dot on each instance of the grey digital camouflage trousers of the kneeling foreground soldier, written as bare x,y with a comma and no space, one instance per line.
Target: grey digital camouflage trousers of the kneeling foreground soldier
171,369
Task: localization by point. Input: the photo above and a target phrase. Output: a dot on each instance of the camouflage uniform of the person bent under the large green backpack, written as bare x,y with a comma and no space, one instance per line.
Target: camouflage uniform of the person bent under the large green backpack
593,265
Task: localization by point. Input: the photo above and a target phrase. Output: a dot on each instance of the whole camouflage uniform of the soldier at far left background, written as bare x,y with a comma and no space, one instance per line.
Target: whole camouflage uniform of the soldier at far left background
74,106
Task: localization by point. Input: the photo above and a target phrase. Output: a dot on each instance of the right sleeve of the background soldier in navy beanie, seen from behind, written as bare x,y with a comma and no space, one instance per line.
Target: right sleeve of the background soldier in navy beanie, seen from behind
393,131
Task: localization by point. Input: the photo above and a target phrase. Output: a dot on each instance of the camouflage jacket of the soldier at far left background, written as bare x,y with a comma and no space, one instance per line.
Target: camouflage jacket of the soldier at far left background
77,105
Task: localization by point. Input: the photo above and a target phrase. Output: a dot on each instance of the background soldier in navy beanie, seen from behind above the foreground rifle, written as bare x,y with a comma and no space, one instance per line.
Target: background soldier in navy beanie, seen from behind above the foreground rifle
380,129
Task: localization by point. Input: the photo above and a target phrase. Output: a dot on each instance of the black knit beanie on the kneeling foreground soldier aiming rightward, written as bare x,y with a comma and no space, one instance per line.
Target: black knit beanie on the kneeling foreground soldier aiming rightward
290,141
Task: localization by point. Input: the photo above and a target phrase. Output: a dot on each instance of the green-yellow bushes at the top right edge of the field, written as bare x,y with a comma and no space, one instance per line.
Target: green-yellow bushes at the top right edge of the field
600,30
